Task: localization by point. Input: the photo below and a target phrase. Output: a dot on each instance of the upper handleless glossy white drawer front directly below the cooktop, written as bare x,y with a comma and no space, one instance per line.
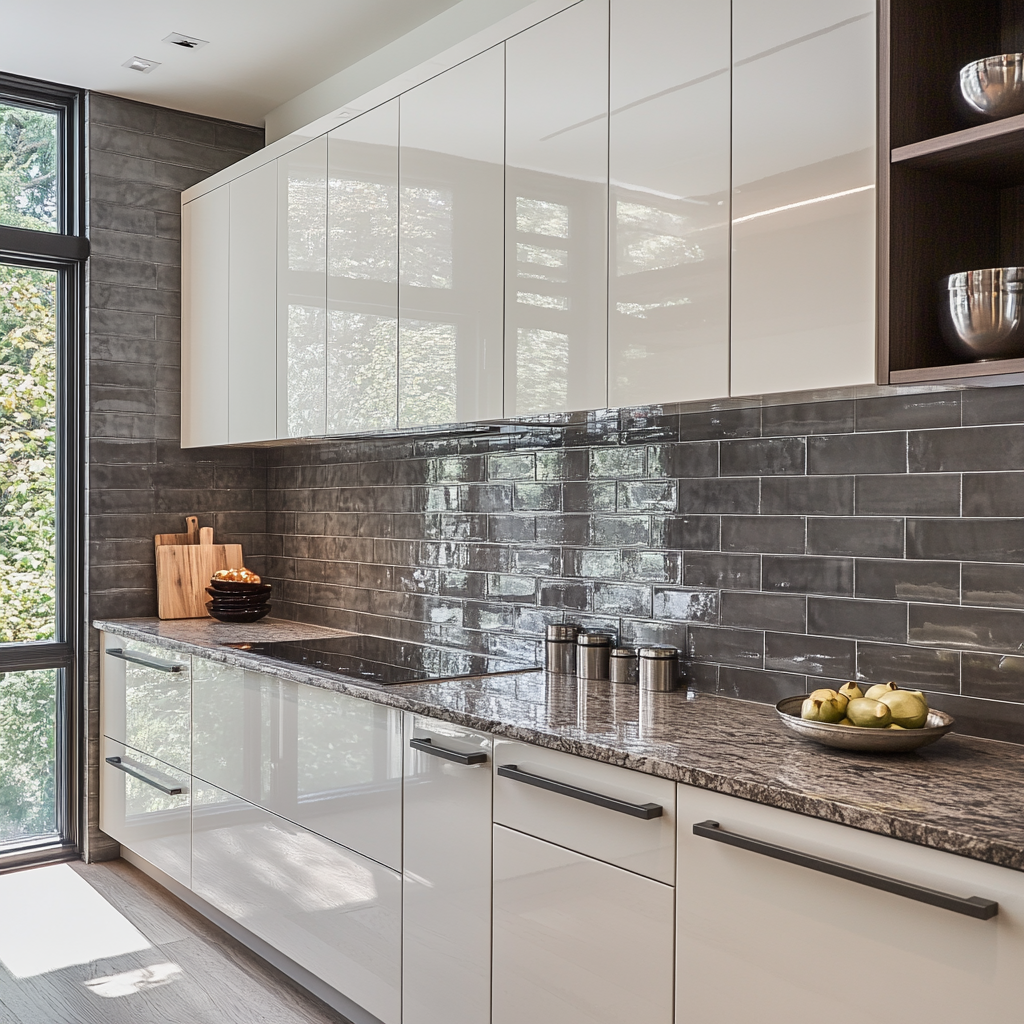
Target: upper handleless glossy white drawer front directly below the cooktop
326,761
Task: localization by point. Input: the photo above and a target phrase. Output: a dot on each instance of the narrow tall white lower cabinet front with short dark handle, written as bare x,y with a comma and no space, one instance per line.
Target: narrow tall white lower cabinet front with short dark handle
447,879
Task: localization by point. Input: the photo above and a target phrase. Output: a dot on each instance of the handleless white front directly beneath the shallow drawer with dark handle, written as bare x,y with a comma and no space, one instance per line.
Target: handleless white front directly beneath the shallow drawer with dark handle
577,942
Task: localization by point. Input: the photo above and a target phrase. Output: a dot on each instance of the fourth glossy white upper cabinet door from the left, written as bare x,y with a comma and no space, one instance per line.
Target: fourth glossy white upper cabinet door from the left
363,273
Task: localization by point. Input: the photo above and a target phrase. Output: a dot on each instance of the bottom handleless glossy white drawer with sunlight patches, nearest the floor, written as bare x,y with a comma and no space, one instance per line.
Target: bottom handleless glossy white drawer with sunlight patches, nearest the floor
334,913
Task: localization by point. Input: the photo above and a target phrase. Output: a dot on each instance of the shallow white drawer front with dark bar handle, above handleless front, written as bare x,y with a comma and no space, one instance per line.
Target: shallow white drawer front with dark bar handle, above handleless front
644,845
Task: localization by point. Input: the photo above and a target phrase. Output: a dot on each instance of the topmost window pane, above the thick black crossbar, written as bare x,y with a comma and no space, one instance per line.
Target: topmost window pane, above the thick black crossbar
29,168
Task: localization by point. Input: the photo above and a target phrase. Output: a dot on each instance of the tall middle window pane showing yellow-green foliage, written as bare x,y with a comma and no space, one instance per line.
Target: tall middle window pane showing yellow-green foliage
28,454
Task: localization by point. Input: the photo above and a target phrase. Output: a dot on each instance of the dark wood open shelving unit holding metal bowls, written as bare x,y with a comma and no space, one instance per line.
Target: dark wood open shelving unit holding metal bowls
952,191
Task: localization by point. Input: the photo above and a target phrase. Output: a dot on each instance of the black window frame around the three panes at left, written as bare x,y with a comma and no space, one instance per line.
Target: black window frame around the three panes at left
65,251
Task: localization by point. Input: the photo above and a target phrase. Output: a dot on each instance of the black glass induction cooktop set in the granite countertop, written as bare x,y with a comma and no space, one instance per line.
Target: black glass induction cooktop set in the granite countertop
379,660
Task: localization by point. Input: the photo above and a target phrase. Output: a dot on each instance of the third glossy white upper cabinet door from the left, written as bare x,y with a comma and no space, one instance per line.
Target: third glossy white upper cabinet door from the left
303,291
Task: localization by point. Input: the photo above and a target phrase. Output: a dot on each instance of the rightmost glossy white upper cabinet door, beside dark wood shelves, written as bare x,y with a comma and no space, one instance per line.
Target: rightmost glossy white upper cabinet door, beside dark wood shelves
803,163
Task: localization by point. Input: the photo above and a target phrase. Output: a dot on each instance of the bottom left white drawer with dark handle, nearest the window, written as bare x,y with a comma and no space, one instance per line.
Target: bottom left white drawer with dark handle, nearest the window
139,807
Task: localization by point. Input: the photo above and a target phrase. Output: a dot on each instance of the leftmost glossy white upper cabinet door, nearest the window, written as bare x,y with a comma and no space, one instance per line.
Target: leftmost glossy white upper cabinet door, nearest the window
204,319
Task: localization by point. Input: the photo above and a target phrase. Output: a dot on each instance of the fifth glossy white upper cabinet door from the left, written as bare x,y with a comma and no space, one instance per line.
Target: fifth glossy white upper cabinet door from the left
452,245
